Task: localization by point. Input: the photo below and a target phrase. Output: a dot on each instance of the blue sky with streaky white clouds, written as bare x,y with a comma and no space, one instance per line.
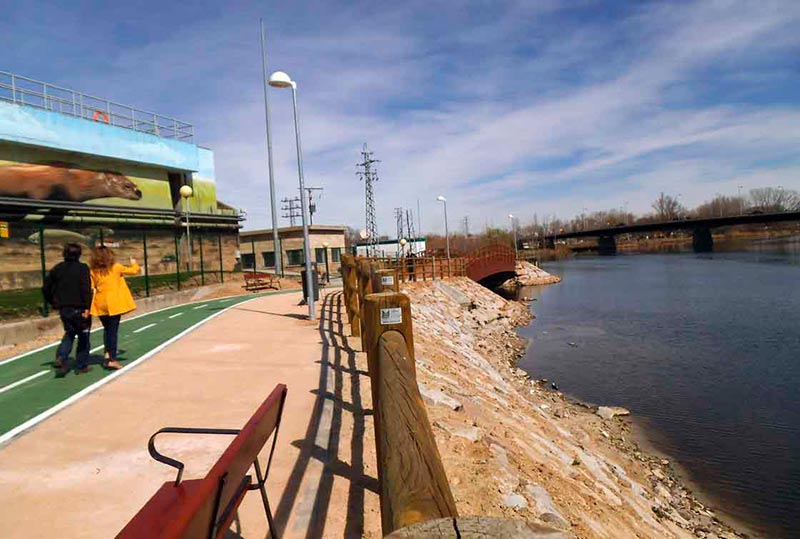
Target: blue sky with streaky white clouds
546,108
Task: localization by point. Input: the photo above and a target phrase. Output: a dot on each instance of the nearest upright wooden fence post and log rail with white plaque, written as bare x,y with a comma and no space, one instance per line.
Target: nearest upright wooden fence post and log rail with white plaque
413,483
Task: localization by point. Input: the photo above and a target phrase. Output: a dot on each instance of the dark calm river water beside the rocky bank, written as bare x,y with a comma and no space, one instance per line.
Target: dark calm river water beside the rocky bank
704,350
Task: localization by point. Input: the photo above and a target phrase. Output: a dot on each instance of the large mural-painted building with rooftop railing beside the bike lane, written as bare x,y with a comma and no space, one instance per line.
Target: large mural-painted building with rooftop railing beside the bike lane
76,168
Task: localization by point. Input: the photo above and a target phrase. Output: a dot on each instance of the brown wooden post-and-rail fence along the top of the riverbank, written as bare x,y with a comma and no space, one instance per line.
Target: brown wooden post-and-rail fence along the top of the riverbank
415,496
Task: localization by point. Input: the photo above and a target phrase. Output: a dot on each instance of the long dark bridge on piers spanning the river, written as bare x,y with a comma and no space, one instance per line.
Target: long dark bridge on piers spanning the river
702,241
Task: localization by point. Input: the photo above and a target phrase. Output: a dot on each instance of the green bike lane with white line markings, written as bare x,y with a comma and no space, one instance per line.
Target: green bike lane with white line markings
30,391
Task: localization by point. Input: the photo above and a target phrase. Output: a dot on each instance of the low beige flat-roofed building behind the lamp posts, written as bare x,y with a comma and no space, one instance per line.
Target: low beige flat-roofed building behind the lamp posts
258,251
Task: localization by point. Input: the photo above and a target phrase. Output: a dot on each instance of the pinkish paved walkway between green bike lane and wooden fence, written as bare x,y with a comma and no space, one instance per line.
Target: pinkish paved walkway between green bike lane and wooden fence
85,471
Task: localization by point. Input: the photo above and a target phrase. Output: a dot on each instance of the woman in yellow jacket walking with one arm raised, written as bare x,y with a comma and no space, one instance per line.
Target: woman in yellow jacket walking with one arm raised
112,298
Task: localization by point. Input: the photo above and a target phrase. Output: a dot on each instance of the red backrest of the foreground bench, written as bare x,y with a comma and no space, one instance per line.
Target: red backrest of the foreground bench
197,515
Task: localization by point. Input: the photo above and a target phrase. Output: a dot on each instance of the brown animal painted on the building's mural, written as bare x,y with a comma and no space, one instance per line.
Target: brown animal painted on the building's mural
57,182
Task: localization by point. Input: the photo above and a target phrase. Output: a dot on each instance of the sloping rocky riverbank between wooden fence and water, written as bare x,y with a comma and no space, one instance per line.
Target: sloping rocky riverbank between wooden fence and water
513,447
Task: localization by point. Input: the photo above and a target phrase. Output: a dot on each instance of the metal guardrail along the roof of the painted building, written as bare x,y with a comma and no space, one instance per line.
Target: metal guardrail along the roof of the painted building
32,93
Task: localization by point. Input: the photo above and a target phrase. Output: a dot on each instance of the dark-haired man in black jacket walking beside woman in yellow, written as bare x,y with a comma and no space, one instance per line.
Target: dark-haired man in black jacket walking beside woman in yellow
68,288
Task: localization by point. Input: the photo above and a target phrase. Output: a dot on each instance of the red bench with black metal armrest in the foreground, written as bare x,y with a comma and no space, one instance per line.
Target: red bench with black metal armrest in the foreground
205,508
